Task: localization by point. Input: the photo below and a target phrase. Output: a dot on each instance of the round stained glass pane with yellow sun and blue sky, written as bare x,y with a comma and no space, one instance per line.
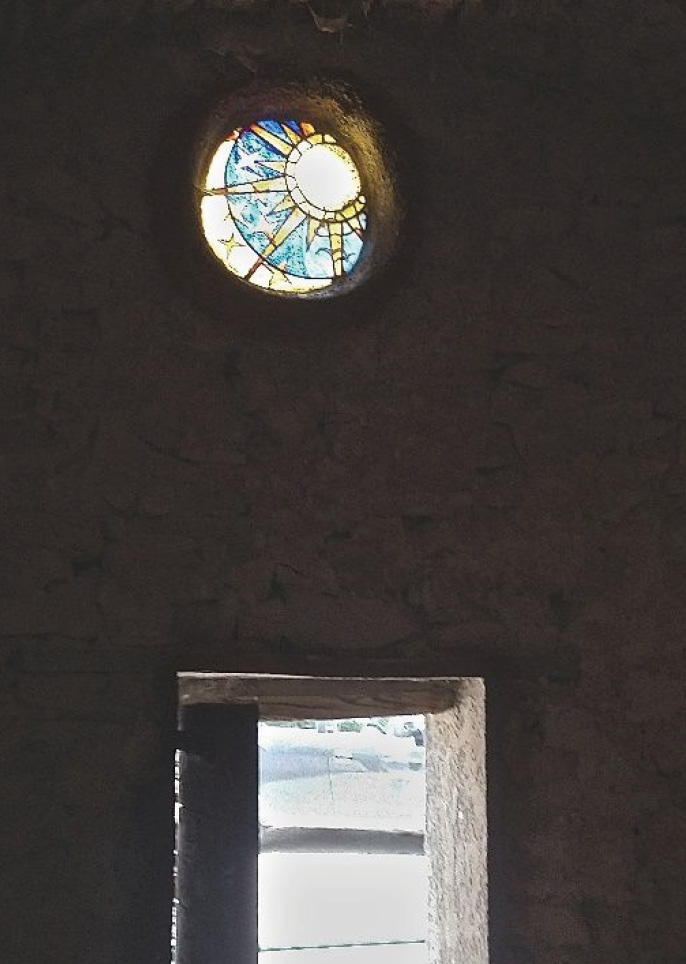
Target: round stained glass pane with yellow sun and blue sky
283,207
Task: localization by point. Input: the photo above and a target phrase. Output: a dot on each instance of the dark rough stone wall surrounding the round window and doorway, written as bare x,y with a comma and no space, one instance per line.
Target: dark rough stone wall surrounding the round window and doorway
486,475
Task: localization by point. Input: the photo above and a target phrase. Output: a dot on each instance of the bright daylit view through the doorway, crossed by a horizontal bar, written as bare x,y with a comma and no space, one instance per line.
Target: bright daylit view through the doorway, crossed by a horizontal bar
342,874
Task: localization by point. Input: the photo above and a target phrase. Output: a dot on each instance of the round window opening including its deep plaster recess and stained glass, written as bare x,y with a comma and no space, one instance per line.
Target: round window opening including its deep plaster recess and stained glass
294,193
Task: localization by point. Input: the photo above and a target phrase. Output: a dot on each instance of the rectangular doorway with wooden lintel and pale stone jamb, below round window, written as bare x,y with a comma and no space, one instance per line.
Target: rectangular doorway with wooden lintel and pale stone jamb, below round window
330,821
